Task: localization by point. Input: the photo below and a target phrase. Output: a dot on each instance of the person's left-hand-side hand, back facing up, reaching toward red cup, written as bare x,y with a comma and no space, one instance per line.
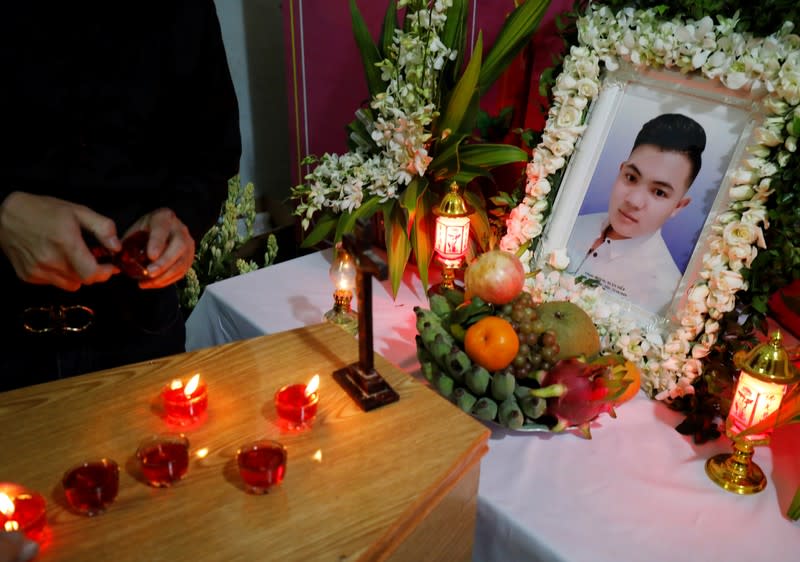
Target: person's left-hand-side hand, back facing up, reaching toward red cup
43,239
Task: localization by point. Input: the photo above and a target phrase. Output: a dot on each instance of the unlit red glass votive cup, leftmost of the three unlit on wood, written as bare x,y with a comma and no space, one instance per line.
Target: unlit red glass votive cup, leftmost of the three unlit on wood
91,486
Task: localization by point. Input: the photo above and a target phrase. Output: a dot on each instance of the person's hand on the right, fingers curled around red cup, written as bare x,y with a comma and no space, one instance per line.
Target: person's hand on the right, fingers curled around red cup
170,248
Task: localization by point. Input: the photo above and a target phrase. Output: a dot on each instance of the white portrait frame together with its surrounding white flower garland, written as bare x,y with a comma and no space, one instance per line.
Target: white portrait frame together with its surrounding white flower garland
707,59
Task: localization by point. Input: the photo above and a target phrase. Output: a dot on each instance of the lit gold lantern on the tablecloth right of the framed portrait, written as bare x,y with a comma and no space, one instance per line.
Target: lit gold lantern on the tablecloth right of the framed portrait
765,375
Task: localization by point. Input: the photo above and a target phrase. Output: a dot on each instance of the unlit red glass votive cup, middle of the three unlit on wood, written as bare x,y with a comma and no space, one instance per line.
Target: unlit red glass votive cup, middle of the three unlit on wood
163,459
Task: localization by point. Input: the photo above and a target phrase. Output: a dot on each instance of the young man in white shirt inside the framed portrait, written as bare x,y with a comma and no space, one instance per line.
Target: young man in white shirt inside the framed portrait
623,248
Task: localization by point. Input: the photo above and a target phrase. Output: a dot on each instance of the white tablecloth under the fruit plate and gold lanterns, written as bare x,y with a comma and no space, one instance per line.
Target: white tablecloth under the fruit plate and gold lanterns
637,491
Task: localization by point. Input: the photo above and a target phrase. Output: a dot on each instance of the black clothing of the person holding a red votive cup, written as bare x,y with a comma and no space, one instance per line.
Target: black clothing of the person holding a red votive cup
124,107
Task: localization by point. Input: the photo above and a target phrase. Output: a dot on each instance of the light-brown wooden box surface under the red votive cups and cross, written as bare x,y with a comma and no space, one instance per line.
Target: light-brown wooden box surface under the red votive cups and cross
396,483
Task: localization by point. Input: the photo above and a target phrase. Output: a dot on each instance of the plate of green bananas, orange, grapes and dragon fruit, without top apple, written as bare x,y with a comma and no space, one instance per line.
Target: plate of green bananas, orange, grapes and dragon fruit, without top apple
516,365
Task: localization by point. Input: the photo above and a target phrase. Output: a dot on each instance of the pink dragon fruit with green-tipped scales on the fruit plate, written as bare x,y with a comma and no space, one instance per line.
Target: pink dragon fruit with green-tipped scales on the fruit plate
577,393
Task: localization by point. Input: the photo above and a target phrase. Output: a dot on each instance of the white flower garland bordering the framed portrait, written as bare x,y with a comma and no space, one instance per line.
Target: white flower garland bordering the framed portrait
768,66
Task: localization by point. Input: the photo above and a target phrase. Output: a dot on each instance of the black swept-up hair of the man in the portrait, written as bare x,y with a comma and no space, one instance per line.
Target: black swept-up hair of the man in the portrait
675,132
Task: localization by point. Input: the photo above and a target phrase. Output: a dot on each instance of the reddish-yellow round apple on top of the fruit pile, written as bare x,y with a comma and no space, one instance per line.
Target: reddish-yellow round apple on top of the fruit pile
496,276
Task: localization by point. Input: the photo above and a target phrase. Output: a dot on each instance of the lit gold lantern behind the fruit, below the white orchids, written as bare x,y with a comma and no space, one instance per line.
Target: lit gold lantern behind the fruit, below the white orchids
452,235
